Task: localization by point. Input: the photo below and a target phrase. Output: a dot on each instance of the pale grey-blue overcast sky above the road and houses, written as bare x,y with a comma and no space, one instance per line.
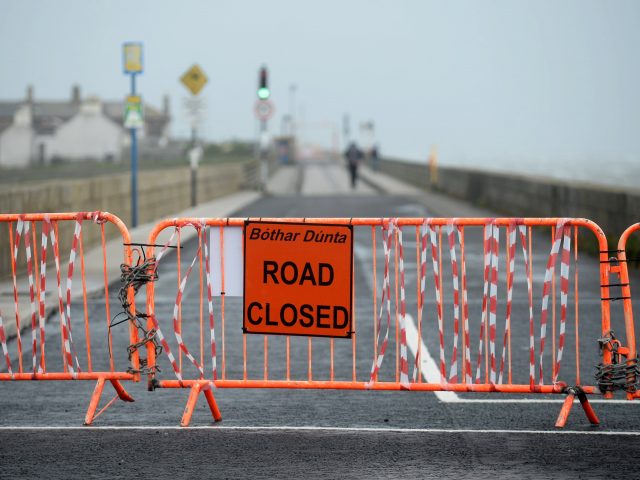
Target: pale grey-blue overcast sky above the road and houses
481,79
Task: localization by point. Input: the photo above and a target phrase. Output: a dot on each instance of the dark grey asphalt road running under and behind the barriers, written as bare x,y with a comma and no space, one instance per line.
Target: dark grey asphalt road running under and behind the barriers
274,433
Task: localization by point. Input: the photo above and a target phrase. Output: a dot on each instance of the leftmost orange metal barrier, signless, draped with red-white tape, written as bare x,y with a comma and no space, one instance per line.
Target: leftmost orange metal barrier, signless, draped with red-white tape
44,284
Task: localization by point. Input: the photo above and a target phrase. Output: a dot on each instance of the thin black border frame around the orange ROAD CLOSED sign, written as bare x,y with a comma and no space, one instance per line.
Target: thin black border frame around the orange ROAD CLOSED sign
349,327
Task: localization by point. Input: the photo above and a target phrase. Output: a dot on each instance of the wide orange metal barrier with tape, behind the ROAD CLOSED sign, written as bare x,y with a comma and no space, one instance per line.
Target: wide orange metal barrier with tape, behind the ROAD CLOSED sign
463,308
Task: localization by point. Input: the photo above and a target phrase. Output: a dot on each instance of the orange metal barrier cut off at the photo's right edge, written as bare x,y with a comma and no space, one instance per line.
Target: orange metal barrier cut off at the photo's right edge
625,356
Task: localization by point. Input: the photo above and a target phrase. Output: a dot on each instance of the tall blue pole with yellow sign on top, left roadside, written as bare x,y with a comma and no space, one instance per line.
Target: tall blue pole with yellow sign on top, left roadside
132,65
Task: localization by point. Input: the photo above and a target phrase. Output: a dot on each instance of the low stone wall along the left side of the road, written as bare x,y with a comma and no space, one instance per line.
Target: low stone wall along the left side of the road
160,194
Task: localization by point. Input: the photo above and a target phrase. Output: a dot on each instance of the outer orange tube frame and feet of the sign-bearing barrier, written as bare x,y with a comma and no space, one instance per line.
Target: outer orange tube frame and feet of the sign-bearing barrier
198,385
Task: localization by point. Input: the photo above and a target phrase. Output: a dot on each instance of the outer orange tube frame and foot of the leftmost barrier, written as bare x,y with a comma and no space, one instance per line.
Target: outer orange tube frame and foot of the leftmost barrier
101,377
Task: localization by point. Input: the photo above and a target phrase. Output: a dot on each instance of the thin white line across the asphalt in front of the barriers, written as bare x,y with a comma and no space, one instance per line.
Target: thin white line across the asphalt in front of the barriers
258,428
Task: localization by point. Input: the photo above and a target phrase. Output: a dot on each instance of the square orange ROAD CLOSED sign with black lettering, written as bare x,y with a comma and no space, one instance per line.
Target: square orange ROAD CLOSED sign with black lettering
298,279
